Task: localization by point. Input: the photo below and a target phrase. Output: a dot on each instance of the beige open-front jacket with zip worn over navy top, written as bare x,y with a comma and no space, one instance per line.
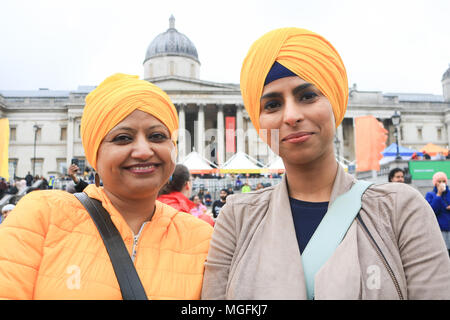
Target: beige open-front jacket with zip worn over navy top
254,253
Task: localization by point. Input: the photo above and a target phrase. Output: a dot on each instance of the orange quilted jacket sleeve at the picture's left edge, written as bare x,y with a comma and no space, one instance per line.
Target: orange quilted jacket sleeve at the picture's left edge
22,236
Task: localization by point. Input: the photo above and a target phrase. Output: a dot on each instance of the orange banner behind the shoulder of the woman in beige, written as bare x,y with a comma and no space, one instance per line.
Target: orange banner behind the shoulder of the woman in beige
370,141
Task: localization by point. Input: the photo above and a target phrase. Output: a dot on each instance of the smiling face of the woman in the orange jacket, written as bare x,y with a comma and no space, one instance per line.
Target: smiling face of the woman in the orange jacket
136,157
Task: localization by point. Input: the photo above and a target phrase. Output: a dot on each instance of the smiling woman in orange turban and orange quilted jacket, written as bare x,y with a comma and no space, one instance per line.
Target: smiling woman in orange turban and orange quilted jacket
51,248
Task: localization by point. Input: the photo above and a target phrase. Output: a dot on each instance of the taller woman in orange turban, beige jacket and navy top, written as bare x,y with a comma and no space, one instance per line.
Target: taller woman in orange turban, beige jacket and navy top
320,233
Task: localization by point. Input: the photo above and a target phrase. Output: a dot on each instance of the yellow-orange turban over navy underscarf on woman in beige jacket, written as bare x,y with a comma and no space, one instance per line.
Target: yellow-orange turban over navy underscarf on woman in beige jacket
305,53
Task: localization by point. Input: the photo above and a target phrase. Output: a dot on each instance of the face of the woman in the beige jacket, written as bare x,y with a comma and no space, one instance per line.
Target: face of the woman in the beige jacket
298,120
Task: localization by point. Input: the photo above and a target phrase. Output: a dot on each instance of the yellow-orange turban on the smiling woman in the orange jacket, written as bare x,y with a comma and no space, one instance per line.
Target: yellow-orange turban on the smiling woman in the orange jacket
116,98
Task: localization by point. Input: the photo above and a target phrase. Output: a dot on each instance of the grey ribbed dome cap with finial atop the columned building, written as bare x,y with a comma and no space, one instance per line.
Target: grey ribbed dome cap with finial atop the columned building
171,43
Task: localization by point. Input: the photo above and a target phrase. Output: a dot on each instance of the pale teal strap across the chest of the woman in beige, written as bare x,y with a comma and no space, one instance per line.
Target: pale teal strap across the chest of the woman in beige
330,232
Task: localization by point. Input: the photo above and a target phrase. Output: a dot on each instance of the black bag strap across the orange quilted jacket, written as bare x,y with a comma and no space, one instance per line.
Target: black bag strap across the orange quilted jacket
126,274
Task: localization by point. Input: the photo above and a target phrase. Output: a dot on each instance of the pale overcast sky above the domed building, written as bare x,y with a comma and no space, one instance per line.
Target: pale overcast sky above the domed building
388,46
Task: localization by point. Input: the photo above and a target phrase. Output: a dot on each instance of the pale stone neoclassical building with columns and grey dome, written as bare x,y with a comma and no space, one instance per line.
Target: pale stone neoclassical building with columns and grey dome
45,124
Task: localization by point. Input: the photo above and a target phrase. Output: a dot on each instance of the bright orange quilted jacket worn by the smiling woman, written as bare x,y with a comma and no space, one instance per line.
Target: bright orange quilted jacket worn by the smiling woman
51,249
